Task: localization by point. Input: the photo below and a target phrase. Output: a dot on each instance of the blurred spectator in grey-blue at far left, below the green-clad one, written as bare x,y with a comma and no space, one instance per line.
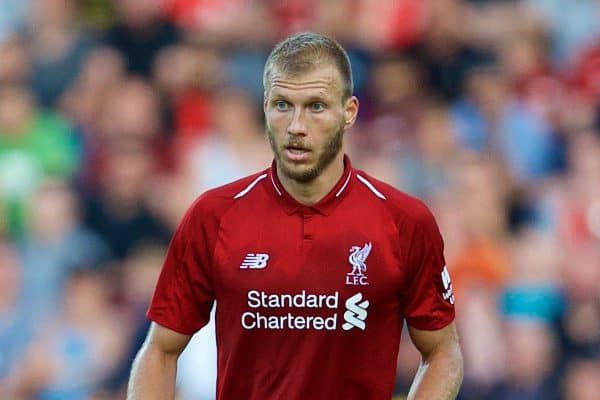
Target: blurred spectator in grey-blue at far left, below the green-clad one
55,244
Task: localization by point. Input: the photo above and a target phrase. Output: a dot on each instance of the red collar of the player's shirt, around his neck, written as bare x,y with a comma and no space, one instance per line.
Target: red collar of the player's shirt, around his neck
324,206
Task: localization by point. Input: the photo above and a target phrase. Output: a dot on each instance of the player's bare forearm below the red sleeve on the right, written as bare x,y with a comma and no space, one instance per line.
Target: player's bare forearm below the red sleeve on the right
441,371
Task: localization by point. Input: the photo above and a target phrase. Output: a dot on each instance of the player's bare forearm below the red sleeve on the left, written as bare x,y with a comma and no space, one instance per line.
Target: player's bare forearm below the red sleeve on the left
155,367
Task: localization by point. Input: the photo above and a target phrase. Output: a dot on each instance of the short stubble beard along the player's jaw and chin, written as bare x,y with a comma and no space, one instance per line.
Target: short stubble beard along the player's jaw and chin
327,155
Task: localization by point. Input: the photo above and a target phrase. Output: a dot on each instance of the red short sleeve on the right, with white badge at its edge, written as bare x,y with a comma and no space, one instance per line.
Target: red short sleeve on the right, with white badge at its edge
428,300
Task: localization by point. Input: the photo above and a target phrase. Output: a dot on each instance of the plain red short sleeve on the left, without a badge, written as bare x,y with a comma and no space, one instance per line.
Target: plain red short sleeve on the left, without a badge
184,292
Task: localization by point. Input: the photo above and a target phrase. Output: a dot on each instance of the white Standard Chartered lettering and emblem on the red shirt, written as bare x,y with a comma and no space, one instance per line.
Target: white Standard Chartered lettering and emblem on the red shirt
309,311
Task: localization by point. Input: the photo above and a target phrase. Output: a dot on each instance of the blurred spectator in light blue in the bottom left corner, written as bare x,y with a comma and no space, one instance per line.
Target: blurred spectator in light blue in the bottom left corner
74,349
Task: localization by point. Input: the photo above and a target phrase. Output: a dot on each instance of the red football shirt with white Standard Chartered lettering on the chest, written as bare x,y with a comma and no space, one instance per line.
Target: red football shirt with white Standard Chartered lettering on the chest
310,300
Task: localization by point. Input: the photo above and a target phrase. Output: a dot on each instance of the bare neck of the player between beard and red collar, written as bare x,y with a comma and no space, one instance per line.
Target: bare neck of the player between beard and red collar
309,193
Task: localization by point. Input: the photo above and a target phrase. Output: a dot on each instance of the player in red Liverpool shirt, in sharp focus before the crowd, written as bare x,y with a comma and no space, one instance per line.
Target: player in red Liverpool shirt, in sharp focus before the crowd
313,264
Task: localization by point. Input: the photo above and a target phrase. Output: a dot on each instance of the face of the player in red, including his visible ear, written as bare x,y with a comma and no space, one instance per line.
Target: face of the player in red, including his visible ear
306,119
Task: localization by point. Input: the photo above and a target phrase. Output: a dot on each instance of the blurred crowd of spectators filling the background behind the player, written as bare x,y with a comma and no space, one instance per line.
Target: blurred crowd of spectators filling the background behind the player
115,115
